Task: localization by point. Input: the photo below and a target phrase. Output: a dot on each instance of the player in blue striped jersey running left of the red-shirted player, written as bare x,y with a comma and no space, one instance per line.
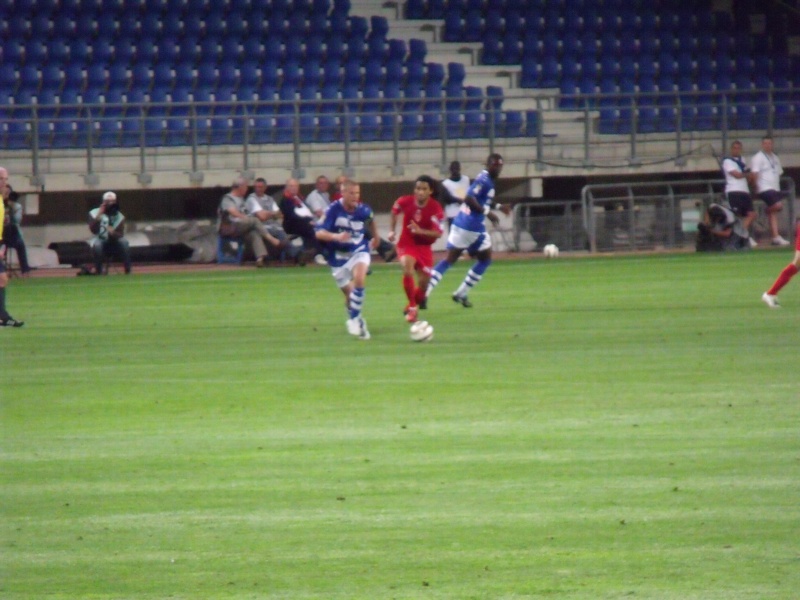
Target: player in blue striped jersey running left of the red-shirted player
342,232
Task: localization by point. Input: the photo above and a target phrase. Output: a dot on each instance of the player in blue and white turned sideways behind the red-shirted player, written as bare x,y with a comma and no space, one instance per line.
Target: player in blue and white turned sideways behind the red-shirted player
468,231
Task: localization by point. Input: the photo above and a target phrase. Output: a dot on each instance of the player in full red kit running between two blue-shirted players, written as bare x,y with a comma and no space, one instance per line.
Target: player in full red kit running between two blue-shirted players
422,226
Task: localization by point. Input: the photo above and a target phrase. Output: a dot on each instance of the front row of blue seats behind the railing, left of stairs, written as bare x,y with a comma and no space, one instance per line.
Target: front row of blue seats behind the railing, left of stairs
380,123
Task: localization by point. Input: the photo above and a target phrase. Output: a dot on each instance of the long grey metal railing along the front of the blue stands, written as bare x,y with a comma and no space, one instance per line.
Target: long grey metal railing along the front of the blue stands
568,130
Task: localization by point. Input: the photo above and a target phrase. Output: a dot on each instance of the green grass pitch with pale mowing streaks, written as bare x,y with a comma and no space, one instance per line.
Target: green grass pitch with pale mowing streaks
594,428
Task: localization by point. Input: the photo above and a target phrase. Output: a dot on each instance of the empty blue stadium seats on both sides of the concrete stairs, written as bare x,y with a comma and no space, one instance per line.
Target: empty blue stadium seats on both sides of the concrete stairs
658,67
